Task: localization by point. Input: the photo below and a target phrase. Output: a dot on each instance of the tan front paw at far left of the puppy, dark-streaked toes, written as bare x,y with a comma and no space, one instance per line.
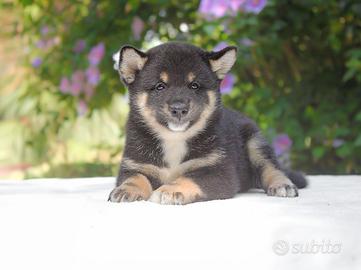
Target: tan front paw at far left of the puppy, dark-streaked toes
135,188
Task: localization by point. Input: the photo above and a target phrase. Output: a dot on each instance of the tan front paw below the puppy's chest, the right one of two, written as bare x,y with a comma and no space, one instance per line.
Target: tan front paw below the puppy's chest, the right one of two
181,191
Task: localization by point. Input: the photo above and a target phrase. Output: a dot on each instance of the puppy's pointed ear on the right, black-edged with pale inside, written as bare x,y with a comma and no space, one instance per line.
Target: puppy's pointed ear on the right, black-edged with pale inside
221,62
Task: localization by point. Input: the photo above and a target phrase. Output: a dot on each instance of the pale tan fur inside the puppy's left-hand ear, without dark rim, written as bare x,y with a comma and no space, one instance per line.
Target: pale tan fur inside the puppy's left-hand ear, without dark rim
131,62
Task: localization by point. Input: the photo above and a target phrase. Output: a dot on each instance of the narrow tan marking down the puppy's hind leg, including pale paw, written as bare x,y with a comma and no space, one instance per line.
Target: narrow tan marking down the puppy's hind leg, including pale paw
274,181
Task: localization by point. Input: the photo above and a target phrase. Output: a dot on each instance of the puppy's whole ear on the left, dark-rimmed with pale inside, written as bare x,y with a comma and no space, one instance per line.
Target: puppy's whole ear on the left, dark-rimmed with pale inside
128,61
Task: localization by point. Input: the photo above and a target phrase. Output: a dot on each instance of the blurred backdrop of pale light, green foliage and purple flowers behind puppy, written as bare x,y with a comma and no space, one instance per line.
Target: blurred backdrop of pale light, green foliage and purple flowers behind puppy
63,108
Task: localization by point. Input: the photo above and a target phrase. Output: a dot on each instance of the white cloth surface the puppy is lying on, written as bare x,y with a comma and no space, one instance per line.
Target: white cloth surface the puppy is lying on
68,224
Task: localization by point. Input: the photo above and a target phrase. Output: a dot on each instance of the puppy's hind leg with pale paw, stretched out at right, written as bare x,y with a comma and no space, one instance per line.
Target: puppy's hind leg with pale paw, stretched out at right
273,179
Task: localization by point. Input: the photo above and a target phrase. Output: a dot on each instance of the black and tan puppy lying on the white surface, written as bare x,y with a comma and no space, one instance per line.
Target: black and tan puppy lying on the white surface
182,145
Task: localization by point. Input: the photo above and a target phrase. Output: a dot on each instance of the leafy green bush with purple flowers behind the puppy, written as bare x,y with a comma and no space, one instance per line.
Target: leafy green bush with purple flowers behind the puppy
297,73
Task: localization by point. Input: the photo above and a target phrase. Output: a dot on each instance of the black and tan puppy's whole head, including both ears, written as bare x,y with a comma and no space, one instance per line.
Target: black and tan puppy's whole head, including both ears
174,86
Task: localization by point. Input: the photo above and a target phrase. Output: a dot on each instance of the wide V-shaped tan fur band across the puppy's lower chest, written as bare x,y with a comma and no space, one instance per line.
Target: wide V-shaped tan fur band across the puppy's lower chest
168,175
